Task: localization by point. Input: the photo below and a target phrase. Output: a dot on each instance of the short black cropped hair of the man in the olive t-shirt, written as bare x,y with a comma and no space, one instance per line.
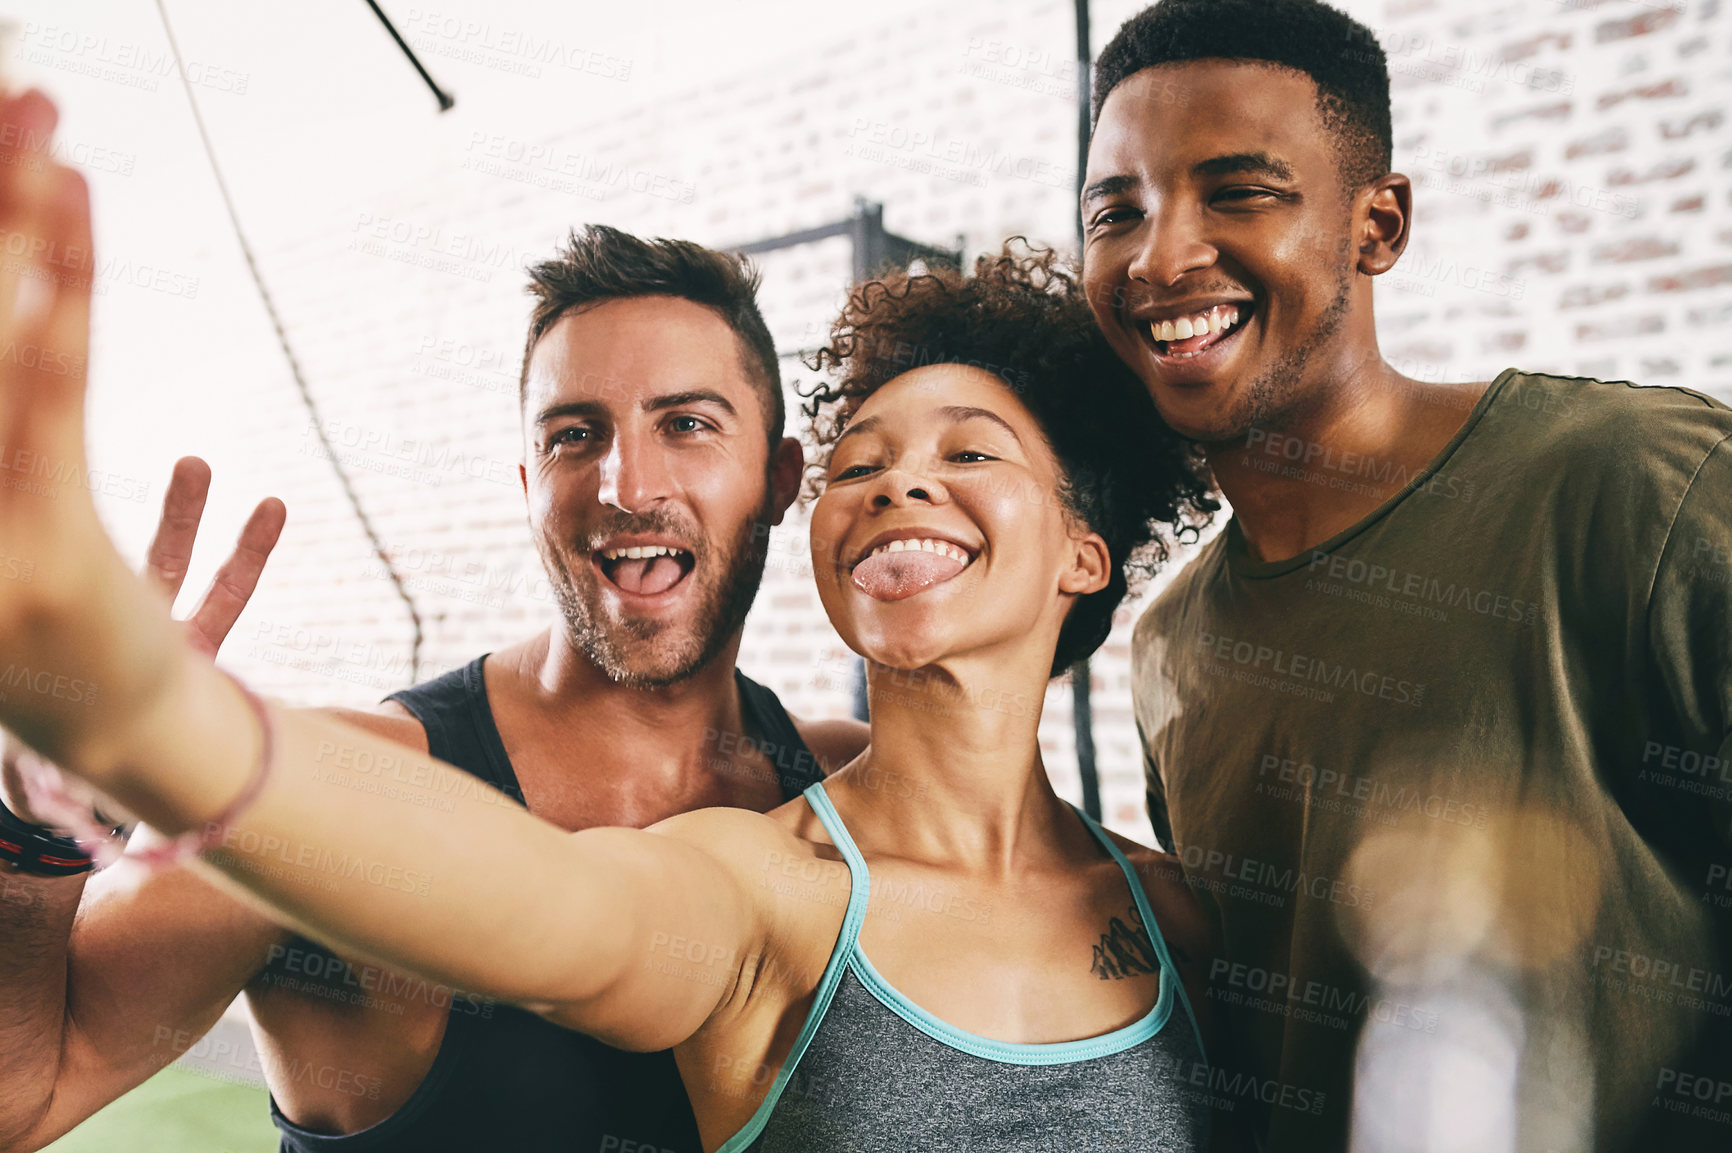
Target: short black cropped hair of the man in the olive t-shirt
1338,53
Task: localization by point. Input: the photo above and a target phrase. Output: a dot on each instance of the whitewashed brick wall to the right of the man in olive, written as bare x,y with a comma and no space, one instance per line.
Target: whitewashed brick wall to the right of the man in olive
1598,247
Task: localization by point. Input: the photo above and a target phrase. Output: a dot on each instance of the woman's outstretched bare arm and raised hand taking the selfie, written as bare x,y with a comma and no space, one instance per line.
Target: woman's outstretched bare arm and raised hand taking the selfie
437,873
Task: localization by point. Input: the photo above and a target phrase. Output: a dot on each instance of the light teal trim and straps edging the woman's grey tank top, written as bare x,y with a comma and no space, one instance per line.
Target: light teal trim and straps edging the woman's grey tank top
850,955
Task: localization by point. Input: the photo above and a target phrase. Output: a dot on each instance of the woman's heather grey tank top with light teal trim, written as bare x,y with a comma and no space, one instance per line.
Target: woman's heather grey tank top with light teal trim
872,1072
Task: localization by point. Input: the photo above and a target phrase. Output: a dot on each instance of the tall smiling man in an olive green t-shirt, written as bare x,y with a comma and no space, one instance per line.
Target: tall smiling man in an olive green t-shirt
1442,723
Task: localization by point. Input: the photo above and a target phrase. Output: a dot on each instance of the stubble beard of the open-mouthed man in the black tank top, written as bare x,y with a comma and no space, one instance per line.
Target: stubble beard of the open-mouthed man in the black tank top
725,607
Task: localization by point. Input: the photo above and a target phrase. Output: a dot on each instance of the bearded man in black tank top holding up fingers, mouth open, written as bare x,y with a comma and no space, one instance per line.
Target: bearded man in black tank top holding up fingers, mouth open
654,467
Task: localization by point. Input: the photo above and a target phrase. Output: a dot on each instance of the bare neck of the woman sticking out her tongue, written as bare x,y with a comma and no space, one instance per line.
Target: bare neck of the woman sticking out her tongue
953,775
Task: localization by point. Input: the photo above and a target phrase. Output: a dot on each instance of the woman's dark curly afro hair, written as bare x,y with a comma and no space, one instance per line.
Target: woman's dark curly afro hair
1023,318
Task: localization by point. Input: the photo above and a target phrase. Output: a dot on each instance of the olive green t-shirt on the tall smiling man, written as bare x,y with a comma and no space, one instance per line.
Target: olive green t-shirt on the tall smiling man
1457,785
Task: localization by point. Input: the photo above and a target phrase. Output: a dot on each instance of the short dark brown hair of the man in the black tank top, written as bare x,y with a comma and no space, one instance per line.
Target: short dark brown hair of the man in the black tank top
600,264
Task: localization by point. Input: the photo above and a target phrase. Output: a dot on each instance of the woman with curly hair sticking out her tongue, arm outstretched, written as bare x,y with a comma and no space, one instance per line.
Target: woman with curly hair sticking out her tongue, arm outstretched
929,950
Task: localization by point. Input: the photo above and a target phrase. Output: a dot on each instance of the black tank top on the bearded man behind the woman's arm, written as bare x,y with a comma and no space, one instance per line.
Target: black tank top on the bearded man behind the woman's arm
507,1079
